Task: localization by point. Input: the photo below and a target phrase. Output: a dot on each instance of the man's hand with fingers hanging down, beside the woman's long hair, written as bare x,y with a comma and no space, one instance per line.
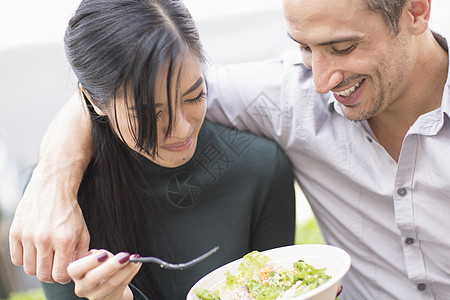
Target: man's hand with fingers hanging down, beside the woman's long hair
48,231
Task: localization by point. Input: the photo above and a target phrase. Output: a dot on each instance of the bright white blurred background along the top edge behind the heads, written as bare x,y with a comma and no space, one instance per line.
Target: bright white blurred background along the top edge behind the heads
39,21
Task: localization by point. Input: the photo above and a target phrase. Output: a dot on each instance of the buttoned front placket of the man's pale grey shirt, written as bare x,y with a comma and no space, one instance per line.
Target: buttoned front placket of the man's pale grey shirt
403,196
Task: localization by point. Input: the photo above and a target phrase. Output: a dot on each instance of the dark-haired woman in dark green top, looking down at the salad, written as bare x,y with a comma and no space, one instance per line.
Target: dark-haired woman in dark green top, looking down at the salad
162,182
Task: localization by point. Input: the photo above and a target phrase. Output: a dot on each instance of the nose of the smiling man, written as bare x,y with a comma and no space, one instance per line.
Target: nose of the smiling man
326,75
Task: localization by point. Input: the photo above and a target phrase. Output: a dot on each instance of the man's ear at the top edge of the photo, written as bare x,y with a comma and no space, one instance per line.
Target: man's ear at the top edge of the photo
419,15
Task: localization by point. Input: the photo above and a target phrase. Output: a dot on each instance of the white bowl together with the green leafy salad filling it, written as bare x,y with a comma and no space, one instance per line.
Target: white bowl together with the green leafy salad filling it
292,272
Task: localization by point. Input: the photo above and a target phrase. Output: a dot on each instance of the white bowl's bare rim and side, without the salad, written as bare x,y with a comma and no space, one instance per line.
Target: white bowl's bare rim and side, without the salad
335,260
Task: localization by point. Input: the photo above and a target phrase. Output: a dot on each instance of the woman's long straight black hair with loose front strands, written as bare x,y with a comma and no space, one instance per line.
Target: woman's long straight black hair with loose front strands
116,48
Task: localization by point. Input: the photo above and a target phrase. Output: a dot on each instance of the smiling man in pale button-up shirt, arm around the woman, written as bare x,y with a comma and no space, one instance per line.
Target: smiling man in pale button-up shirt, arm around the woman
364,118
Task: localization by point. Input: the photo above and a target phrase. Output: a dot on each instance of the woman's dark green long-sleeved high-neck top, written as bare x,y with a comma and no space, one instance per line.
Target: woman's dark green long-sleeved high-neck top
236,193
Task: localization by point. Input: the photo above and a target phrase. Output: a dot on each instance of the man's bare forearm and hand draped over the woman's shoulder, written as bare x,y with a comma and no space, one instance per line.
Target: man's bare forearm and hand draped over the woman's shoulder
48,230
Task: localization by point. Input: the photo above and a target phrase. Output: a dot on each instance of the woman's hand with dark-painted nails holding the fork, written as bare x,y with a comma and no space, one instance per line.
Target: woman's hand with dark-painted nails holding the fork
102,275
